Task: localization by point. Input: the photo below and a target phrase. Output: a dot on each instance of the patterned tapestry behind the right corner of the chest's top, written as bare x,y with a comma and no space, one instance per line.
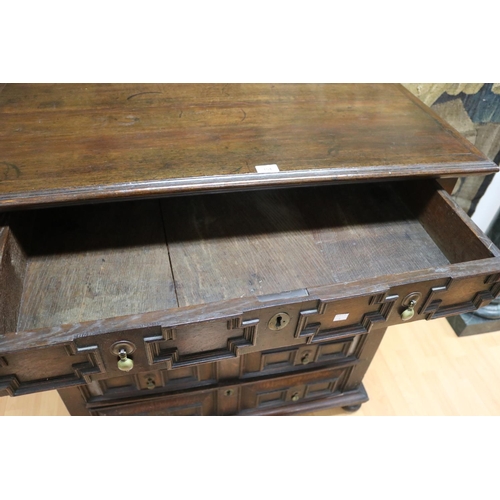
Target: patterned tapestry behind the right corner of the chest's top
474,110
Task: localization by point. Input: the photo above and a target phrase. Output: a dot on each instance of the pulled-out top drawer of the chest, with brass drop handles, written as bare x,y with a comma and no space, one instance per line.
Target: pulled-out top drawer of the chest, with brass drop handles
189,280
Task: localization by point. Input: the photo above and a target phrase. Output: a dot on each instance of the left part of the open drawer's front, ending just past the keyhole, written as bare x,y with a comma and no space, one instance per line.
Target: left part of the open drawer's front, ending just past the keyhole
165,342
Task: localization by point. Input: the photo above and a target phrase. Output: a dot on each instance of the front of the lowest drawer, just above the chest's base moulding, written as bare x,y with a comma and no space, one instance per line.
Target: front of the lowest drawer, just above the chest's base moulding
246,398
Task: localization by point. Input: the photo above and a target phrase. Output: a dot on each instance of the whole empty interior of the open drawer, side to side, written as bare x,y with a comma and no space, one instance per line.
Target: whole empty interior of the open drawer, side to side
72,264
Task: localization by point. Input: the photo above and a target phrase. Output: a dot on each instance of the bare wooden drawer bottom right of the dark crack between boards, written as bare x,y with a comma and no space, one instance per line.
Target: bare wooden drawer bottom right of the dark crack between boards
266,242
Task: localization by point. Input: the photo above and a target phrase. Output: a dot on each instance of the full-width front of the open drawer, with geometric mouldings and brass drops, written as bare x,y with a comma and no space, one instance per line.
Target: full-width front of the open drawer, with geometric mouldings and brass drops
85,354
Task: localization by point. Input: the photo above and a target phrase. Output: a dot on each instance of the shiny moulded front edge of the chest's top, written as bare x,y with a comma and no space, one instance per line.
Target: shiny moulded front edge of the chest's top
235,182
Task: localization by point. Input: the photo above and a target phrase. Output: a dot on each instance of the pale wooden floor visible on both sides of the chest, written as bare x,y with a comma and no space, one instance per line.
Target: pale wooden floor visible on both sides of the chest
422,368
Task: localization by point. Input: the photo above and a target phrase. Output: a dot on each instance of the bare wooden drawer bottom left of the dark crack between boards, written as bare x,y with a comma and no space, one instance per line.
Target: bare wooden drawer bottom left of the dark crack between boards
92,262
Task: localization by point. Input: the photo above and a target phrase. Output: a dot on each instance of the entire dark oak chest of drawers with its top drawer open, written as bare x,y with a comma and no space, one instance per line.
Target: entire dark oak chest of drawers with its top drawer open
224,249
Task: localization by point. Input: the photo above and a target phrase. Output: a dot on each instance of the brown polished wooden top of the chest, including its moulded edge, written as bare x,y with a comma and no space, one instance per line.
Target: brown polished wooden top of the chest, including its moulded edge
58,143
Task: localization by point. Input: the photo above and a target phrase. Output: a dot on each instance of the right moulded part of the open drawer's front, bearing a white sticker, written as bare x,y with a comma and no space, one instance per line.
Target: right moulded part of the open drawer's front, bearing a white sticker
334,318
